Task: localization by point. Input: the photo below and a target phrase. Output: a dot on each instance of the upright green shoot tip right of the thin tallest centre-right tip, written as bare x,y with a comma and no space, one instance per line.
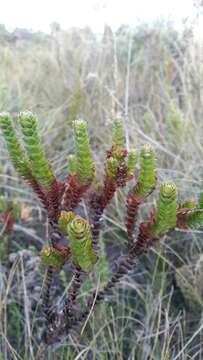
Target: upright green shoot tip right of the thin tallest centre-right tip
147,173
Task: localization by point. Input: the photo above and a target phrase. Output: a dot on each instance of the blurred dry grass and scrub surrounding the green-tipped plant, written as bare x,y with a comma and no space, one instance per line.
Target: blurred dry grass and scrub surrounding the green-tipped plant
152,76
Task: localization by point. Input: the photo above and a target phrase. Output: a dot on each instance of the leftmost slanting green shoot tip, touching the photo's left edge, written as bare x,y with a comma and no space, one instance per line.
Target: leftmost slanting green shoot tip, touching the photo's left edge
14,148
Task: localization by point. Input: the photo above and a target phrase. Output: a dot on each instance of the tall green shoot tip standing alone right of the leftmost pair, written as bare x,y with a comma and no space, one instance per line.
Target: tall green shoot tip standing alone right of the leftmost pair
85,167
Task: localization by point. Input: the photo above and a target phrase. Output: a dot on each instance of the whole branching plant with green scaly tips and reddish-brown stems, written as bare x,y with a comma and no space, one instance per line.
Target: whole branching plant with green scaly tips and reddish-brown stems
73,238
